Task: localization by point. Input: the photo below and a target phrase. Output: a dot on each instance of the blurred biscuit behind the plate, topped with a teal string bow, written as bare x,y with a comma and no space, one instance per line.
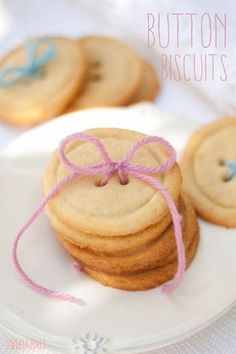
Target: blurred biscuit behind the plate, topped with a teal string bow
48,93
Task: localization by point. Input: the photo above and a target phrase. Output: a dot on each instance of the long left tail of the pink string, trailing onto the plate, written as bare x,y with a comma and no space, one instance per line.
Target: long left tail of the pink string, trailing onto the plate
33,285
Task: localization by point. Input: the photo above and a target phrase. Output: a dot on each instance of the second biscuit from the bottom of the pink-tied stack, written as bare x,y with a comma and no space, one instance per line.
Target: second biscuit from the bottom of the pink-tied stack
160,252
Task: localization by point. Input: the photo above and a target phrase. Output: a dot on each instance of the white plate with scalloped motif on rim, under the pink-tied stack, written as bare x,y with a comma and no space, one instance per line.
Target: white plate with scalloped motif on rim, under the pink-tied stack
128,321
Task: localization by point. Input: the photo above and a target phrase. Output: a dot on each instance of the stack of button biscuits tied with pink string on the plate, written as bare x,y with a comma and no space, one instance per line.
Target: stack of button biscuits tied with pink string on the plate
121,235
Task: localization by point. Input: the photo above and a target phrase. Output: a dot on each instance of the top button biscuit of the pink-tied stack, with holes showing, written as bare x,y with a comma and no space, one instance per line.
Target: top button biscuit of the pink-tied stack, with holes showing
114,209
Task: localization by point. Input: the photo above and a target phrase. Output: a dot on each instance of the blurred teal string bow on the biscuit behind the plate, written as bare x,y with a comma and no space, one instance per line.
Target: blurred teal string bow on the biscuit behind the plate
11,75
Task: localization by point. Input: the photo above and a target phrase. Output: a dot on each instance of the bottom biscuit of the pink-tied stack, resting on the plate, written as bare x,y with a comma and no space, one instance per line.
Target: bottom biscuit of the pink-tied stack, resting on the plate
143,280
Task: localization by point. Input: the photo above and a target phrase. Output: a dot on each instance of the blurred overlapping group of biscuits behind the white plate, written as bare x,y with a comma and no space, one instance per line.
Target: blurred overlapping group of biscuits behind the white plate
93,71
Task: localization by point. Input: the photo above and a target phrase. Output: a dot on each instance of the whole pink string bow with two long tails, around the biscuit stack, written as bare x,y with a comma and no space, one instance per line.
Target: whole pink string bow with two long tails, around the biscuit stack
106,167
